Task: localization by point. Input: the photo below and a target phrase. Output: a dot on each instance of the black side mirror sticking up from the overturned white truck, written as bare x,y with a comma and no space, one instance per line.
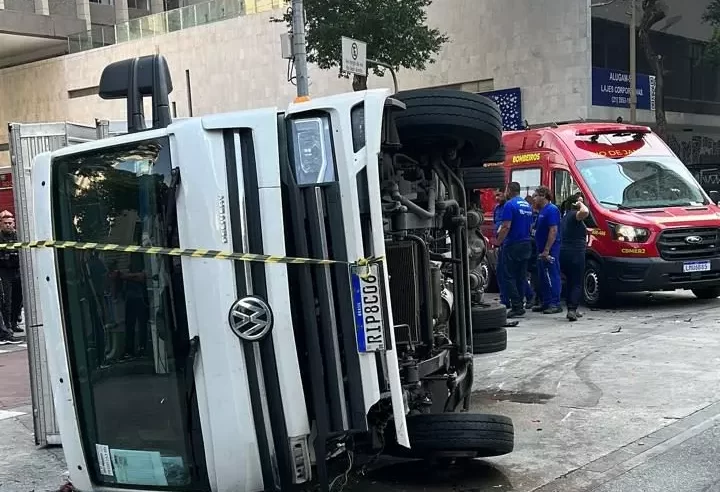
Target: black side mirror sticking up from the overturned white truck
134,79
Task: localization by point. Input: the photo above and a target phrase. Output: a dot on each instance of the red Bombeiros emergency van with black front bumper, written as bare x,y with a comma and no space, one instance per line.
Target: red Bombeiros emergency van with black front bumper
651,225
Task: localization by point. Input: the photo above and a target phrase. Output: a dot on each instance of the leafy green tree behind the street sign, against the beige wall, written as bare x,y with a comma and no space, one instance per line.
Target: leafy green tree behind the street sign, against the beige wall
395,31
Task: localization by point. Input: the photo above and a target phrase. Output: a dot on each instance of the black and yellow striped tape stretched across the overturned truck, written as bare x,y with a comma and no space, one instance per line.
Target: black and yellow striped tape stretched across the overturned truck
192,253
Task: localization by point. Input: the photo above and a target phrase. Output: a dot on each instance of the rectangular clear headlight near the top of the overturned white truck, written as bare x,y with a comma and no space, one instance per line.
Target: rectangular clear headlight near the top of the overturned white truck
312,150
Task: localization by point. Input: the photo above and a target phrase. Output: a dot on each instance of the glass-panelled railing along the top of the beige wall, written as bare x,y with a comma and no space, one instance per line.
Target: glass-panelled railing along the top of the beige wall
169,21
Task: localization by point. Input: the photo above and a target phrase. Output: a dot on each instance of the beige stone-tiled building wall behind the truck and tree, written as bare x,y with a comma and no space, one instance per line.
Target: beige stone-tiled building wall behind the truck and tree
541,46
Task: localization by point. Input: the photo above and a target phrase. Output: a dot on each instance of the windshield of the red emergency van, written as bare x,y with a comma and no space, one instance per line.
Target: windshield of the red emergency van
646,182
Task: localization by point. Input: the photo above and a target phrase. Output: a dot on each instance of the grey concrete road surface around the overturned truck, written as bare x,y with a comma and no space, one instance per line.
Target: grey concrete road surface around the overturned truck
624,400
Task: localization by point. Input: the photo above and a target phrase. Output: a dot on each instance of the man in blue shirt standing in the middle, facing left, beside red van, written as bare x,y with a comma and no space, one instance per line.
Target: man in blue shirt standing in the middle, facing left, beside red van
547,240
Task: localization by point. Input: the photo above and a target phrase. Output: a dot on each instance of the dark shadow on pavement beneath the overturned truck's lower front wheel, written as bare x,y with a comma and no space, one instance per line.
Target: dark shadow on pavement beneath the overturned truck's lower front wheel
472,476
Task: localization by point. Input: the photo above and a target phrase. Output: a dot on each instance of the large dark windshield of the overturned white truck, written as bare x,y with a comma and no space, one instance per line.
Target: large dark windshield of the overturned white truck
124,319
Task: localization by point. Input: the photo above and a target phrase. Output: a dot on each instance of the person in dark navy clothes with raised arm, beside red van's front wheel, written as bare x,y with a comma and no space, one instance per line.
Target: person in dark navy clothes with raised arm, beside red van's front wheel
572,251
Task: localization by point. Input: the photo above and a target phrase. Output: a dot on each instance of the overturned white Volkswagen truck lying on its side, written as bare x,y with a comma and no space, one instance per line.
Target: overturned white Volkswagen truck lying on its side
294,286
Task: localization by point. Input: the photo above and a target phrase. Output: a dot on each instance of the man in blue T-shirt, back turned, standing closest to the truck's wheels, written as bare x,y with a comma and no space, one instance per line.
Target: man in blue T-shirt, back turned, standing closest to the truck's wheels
514,236
